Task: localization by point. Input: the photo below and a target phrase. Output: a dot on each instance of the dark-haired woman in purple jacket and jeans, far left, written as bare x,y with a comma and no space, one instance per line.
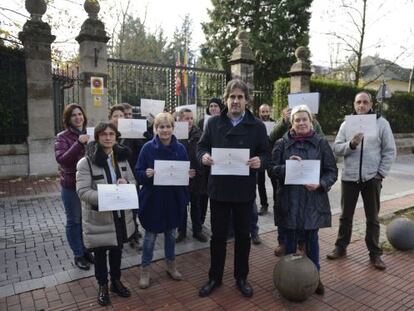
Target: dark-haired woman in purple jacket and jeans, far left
69,149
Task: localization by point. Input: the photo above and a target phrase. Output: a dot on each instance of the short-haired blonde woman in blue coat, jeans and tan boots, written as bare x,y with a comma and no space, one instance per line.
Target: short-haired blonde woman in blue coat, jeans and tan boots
161,208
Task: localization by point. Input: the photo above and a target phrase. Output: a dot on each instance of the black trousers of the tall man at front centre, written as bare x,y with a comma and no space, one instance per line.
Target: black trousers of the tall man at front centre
220,218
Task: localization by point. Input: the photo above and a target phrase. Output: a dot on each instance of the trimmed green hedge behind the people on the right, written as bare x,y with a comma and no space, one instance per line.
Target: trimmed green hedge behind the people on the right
336,101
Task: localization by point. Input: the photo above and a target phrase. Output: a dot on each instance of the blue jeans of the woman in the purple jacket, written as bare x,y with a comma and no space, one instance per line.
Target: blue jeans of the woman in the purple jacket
72,206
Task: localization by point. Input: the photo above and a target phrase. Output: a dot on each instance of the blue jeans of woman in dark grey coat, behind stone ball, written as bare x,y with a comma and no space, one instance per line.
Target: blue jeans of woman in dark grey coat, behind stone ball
311,243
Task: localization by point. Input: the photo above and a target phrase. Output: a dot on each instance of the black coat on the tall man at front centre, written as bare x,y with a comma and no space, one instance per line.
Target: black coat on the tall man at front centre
251,134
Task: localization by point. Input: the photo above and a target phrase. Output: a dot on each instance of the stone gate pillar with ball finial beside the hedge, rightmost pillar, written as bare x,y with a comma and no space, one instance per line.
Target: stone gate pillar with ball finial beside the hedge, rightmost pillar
300,72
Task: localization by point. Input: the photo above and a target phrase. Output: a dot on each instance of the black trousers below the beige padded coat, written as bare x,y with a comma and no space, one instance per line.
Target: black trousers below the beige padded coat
101,268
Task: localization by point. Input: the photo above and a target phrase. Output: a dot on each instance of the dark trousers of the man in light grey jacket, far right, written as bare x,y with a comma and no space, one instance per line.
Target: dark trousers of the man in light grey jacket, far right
370,191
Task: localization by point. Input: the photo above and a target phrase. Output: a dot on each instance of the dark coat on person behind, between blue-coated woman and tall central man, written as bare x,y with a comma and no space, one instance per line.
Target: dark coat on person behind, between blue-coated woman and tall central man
197,183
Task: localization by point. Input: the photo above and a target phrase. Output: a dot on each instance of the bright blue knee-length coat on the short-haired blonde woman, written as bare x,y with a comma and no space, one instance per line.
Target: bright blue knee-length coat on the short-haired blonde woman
161,208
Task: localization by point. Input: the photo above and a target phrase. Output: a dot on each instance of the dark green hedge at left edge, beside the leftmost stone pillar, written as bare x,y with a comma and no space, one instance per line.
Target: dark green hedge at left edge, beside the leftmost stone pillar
13,101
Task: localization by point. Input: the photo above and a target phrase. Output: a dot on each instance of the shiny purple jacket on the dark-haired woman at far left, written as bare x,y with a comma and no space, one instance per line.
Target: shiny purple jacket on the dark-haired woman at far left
68,151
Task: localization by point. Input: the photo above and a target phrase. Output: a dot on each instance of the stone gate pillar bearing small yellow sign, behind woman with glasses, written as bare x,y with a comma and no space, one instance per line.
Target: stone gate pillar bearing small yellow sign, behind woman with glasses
93,62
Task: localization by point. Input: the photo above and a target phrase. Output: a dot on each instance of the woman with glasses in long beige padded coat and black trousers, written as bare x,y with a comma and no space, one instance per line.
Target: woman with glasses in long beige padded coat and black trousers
105,163
